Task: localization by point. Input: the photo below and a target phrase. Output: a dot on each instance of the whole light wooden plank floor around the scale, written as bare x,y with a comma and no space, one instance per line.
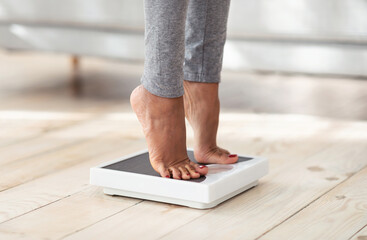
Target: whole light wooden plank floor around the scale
312,129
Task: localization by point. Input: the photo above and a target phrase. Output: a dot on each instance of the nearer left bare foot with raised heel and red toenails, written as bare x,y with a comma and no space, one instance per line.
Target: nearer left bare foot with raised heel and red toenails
163,122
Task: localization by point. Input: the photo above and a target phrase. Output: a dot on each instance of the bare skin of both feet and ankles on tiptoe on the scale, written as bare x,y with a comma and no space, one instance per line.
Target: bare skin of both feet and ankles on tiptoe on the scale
163,123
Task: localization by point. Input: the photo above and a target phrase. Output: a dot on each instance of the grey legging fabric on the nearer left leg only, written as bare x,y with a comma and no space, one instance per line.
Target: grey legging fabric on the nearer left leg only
164,47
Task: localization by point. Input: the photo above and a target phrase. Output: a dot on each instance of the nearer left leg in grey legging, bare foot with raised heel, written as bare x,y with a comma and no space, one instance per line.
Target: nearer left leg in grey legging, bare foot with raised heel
158,102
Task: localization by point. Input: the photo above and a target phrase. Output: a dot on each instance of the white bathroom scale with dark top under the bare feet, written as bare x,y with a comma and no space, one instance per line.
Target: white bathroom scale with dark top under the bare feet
133,176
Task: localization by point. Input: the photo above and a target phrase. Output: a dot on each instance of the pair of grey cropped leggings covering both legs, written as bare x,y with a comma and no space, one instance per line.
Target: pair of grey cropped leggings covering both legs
184,40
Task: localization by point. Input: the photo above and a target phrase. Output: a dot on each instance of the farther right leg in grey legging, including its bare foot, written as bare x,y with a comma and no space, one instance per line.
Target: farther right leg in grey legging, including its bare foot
206,27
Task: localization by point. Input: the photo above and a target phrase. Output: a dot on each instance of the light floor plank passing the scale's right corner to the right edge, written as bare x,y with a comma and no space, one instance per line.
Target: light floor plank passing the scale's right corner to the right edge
284,193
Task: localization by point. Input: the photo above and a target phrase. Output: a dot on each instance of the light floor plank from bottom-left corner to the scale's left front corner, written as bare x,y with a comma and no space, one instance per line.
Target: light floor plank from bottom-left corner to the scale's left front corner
79,209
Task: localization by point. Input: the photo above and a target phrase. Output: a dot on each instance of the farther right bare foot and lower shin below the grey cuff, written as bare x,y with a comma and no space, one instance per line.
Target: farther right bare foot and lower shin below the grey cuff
202,105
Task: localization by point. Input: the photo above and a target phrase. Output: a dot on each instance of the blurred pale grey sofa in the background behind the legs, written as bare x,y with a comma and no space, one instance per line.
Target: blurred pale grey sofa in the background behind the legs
313,36
